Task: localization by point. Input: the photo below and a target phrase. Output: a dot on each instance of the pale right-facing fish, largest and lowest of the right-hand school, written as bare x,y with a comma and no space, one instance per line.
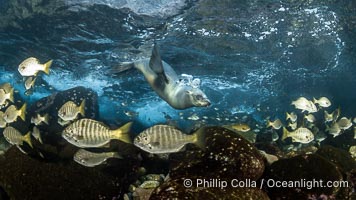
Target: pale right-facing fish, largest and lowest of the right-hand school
302,135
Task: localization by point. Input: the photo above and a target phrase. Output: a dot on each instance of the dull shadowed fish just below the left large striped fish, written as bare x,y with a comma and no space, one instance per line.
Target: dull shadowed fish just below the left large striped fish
91,159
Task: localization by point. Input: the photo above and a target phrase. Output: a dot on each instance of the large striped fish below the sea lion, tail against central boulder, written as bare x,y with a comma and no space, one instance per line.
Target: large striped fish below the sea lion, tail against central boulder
167,139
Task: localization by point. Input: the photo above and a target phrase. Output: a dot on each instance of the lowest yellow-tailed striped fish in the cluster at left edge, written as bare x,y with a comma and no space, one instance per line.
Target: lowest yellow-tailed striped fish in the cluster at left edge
14,137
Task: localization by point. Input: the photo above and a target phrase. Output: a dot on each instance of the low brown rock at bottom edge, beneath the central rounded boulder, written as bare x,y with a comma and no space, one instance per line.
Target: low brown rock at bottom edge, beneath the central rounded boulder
174,189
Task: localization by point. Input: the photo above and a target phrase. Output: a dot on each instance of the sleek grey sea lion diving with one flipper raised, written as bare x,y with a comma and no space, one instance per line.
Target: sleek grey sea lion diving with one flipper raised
164,80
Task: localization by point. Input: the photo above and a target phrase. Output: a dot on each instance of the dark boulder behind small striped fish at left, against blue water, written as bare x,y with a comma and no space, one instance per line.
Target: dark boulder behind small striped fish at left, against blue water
54,146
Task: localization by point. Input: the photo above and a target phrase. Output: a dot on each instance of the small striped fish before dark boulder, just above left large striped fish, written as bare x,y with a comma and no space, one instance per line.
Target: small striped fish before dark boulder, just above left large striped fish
70,110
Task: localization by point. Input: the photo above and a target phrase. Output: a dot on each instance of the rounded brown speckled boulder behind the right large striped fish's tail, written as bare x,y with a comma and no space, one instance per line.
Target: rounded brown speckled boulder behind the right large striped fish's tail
227,155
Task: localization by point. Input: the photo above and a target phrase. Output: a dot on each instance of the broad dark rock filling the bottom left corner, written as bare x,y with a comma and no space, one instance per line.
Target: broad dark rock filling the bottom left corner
23,177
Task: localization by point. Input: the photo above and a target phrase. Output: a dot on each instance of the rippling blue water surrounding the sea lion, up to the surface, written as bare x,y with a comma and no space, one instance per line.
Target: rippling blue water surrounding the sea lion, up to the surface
253,58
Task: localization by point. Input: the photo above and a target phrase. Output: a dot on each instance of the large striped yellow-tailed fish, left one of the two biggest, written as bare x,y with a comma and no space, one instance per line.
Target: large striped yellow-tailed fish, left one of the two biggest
86,133
